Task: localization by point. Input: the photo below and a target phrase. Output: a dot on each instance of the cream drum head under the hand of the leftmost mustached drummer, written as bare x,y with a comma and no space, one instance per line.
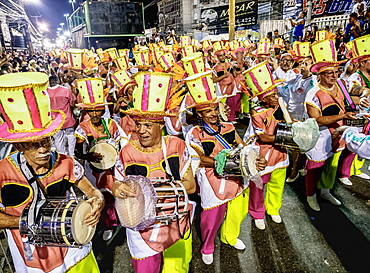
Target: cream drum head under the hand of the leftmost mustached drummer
81,232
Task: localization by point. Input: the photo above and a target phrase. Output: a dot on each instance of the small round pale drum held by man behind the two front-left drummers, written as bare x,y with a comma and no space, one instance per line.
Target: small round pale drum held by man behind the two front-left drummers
108,149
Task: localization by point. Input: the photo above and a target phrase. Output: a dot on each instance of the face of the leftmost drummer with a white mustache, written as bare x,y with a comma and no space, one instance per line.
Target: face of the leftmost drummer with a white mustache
37,153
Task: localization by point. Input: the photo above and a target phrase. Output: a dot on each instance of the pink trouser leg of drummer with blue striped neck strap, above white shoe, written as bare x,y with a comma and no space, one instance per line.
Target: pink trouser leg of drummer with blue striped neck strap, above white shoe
210,222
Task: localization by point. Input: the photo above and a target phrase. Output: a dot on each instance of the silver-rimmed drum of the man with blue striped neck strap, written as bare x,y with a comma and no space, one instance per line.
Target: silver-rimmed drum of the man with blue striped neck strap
242,162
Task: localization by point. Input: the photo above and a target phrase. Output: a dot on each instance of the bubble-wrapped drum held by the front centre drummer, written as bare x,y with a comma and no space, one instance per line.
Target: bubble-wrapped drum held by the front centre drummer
157,201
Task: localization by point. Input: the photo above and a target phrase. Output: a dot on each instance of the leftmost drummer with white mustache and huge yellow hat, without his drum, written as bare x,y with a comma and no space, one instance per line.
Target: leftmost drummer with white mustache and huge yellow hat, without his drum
25,106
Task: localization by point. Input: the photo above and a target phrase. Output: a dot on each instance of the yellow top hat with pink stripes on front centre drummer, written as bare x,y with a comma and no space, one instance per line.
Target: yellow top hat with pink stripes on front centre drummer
151,95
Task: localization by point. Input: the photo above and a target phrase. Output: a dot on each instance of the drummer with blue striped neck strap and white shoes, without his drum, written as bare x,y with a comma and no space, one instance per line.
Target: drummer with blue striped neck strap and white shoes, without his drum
219,194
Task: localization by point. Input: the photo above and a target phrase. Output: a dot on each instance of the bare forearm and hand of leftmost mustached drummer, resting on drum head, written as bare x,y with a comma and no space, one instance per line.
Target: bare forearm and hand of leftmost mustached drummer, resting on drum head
96,199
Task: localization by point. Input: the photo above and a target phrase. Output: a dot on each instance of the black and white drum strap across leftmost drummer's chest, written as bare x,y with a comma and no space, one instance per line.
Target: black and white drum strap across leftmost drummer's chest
38,192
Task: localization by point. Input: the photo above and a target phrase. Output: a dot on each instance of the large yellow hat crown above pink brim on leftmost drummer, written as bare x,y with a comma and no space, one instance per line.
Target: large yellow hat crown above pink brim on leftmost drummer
24,101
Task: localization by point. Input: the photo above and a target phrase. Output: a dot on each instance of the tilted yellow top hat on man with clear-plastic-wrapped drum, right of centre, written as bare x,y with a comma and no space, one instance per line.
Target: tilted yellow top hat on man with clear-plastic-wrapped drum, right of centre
260,80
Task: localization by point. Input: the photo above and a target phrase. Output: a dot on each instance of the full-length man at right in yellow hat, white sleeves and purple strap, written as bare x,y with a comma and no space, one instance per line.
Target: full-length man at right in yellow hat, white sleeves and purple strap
326,103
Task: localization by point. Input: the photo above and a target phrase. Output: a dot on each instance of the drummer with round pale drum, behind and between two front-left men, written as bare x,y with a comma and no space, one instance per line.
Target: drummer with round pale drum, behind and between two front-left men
94,132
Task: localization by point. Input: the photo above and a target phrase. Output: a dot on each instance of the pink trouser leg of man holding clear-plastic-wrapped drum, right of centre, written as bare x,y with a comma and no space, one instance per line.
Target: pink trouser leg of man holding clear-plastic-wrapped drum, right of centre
257,207
